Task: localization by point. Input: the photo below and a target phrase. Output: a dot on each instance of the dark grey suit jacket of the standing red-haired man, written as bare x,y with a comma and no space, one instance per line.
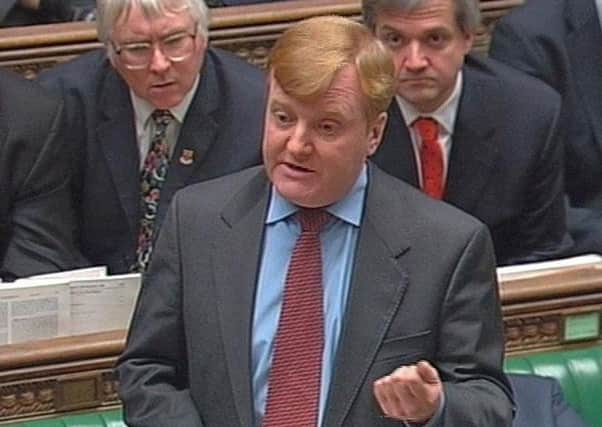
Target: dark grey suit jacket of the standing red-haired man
423,287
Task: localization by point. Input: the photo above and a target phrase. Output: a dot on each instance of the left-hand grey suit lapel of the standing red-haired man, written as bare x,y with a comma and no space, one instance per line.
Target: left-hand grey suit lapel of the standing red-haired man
243,219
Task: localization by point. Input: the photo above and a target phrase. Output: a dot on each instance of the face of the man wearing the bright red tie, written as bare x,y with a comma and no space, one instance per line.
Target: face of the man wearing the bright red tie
429,49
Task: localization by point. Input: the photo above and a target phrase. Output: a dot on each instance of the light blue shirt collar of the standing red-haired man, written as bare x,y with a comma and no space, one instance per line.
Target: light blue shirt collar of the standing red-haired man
348,209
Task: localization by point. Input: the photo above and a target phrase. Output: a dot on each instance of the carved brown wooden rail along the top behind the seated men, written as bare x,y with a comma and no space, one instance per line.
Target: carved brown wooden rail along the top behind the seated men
248,31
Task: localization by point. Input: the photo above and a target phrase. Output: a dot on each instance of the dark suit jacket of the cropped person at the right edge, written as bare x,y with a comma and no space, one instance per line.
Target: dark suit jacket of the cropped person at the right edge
558,41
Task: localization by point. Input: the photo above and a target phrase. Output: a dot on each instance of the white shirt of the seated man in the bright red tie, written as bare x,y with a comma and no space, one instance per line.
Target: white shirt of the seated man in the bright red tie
445,116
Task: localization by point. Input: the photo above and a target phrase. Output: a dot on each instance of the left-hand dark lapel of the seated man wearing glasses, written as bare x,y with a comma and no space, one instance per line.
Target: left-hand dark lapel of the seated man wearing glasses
116,135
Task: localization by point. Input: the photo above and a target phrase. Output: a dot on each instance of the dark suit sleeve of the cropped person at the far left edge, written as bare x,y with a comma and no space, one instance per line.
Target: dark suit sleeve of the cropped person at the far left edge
41,236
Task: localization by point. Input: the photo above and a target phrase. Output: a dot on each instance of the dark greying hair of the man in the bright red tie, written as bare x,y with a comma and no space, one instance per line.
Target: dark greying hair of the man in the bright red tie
468,14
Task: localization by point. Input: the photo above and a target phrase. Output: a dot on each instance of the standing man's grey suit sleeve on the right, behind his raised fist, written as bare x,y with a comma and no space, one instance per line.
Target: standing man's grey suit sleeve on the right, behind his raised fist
471,342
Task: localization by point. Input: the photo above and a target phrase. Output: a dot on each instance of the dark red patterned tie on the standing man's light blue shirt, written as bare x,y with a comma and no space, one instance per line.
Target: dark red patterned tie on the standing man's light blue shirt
294,382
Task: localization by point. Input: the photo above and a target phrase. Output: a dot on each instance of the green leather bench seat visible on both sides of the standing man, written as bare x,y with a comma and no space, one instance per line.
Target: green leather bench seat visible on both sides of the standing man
579,373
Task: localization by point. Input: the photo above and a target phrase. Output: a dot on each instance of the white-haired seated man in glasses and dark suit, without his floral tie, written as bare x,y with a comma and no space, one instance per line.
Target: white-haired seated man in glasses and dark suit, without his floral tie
156,58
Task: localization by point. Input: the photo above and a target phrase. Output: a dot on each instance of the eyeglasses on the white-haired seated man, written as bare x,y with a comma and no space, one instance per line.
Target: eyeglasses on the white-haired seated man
138,55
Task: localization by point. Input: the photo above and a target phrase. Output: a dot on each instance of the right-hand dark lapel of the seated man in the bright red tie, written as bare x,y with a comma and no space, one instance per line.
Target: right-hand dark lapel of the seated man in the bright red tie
474,144
